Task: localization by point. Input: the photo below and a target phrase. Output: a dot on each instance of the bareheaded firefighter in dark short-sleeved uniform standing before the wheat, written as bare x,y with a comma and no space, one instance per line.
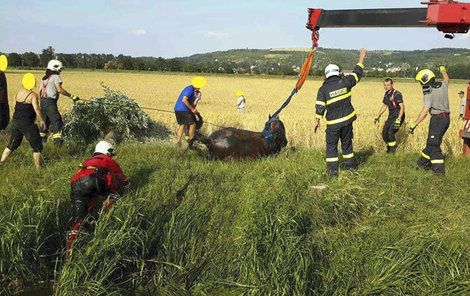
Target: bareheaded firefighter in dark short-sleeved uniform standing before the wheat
393,101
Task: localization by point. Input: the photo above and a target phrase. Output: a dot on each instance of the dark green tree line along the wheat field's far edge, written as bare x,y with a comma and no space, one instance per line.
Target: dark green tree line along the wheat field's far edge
30,60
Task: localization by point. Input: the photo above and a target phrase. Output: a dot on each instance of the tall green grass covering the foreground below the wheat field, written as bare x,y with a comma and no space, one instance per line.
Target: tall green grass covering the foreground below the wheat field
254,228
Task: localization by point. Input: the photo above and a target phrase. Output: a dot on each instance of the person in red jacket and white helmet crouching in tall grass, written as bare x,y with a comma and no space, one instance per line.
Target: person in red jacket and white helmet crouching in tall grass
98,176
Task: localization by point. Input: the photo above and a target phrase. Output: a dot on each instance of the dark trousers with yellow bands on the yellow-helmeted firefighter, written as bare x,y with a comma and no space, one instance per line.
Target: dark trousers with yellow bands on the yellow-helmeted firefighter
431,156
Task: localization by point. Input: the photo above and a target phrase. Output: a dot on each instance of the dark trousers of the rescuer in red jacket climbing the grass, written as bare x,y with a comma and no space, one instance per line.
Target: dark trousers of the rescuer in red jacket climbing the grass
83,193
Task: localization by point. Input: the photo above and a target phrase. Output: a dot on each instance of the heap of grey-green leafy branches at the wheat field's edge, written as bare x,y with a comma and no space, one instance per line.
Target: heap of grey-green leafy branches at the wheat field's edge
88,121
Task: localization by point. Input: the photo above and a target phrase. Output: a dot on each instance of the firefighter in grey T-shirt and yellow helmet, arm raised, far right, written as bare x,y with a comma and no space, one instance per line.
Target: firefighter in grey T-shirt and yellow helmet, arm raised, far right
436,103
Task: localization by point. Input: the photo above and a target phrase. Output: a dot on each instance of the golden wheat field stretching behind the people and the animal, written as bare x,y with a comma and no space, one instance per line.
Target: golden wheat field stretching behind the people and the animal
264,95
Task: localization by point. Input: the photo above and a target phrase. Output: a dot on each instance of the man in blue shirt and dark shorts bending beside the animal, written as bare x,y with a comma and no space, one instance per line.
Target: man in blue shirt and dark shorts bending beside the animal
185,109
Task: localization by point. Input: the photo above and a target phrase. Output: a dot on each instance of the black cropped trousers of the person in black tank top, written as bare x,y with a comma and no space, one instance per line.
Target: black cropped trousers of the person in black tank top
29,130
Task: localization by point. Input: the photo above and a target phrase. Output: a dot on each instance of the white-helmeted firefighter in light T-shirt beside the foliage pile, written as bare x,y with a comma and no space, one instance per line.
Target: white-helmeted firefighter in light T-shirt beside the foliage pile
50,90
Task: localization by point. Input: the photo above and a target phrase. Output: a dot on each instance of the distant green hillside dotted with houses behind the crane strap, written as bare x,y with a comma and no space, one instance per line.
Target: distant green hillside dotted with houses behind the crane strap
288,61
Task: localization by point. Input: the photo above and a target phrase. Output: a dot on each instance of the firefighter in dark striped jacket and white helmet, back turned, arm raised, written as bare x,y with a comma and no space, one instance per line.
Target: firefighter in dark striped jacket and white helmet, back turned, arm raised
334,98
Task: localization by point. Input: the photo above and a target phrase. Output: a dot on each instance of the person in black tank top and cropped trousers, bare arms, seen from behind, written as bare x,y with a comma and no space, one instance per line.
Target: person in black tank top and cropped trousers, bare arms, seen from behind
23,125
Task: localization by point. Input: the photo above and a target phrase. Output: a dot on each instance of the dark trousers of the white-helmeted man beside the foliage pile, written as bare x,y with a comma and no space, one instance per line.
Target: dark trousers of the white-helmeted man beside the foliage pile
53,119
